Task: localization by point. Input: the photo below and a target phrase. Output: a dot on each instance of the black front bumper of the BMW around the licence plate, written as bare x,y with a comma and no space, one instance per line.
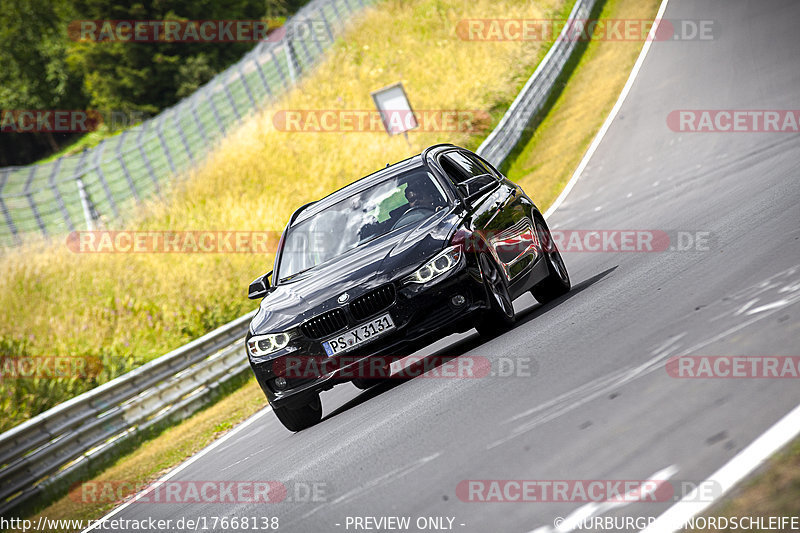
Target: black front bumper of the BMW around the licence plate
421,314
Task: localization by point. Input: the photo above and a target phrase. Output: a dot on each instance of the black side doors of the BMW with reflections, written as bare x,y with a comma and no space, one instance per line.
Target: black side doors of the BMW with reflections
502,213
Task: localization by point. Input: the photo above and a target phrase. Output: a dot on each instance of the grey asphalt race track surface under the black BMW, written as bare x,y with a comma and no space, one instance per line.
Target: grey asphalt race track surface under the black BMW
598,403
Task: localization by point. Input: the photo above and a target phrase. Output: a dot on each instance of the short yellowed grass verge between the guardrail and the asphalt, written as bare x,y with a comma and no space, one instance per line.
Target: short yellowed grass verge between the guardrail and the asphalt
177,443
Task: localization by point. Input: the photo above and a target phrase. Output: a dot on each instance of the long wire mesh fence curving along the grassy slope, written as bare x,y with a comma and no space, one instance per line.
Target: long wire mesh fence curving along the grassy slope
45,198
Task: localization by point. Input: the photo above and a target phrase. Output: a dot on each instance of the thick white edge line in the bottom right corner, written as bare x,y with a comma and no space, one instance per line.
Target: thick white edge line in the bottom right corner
744,463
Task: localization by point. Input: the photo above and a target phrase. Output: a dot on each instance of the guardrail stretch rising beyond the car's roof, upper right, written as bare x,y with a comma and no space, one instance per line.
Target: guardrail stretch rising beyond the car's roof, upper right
499,144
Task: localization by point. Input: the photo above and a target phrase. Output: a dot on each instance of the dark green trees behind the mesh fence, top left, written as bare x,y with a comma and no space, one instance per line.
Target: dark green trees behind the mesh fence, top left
46,67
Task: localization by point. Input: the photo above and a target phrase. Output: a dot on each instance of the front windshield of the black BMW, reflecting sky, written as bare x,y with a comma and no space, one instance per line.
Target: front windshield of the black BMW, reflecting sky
402,200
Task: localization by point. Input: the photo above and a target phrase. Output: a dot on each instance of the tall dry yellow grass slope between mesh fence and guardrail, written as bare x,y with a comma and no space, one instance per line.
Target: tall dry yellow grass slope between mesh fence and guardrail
128,308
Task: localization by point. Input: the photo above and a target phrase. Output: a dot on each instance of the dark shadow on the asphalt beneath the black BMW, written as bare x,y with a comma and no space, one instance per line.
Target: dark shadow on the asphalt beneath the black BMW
438,358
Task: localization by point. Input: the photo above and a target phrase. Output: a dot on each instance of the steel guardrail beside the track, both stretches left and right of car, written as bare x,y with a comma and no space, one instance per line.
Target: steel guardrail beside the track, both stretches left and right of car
36,455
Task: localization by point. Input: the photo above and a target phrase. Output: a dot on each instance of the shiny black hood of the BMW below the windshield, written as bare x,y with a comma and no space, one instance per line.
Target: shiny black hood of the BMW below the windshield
356,272
